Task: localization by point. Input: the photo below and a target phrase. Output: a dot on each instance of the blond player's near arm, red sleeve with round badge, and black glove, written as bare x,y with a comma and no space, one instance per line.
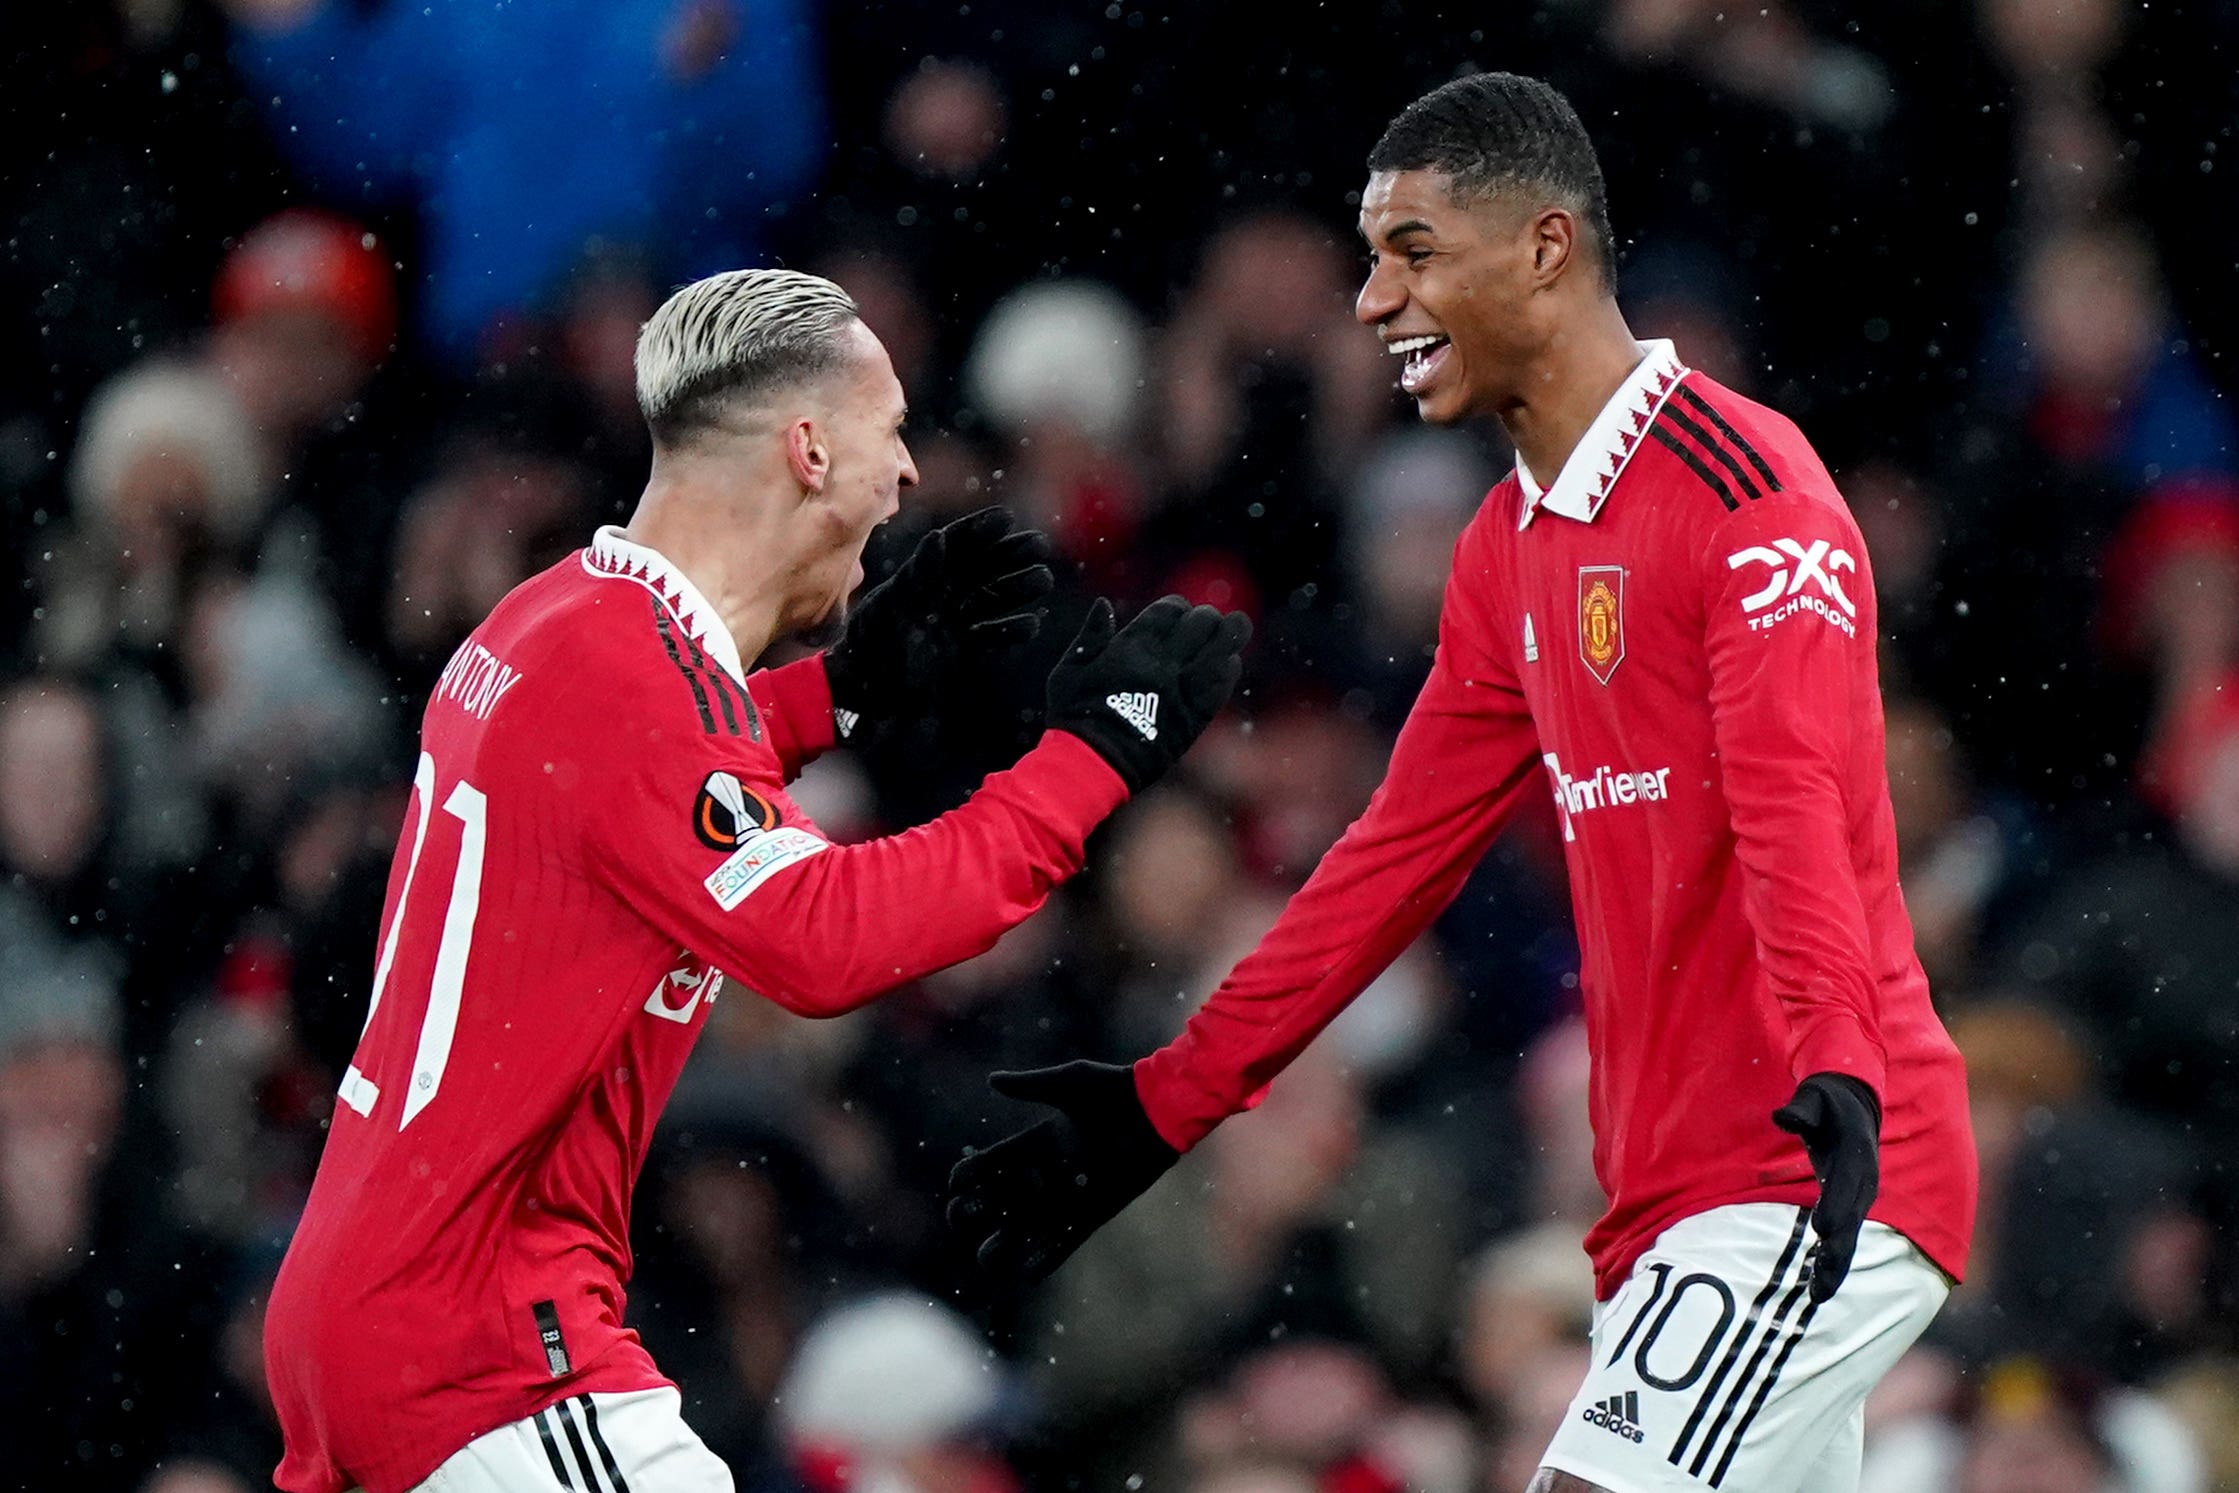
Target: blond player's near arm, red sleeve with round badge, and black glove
695,834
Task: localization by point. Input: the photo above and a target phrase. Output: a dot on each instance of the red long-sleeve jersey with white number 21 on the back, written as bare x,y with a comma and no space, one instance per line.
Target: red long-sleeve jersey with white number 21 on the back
599,849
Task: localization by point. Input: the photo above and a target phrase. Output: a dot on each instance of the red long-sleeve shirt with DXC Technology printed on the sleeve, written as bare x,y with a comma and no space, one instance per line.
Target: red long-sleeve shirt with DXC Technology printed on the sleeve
1678,641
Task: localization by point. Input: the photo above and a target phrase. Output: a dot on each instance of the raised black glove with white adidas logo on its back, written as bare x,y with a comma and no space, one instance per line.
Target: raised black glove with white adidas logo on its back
1145,695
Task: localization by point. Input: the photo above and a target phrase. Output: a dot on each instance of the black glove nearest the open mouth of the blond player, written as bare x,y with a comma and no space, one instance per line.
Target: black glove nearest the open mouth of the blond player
971,590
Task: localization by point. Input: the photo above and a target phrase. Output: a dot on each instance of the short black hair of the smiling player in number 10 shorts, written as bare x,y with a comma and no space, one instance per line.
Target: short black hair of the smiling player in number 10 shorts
1499,131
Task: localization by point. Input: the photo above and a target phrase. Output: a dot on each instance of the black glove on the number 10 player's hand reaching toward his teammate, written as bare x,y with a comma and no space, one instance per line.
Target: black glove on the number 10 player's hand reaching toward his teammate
1029,1201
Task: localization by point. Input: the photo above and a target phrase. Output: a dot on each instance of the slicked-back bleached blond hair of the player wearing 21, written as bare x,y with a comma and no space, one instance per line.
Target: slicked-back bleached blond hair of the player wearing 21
736,337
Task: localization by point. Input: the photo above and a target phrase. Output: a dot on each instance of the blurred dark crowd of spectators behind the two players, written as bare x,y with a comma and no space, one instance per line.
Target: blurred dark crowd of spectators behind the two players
317,337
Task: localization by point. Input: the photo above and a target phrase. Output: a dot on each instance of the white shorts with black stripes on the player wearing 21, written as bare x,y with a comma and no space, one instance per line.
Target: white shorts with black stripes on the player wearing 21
630,1443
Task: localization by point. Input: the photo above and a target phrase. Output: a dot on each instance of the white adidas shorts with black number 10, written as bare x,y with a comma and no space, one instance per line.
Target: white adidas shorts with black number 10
1716,1371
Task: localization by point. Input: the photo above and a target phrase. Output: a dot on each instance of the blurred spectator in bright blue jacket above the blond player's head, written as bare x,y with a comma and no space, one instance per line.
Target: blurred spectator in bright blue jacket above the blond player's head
671,126
